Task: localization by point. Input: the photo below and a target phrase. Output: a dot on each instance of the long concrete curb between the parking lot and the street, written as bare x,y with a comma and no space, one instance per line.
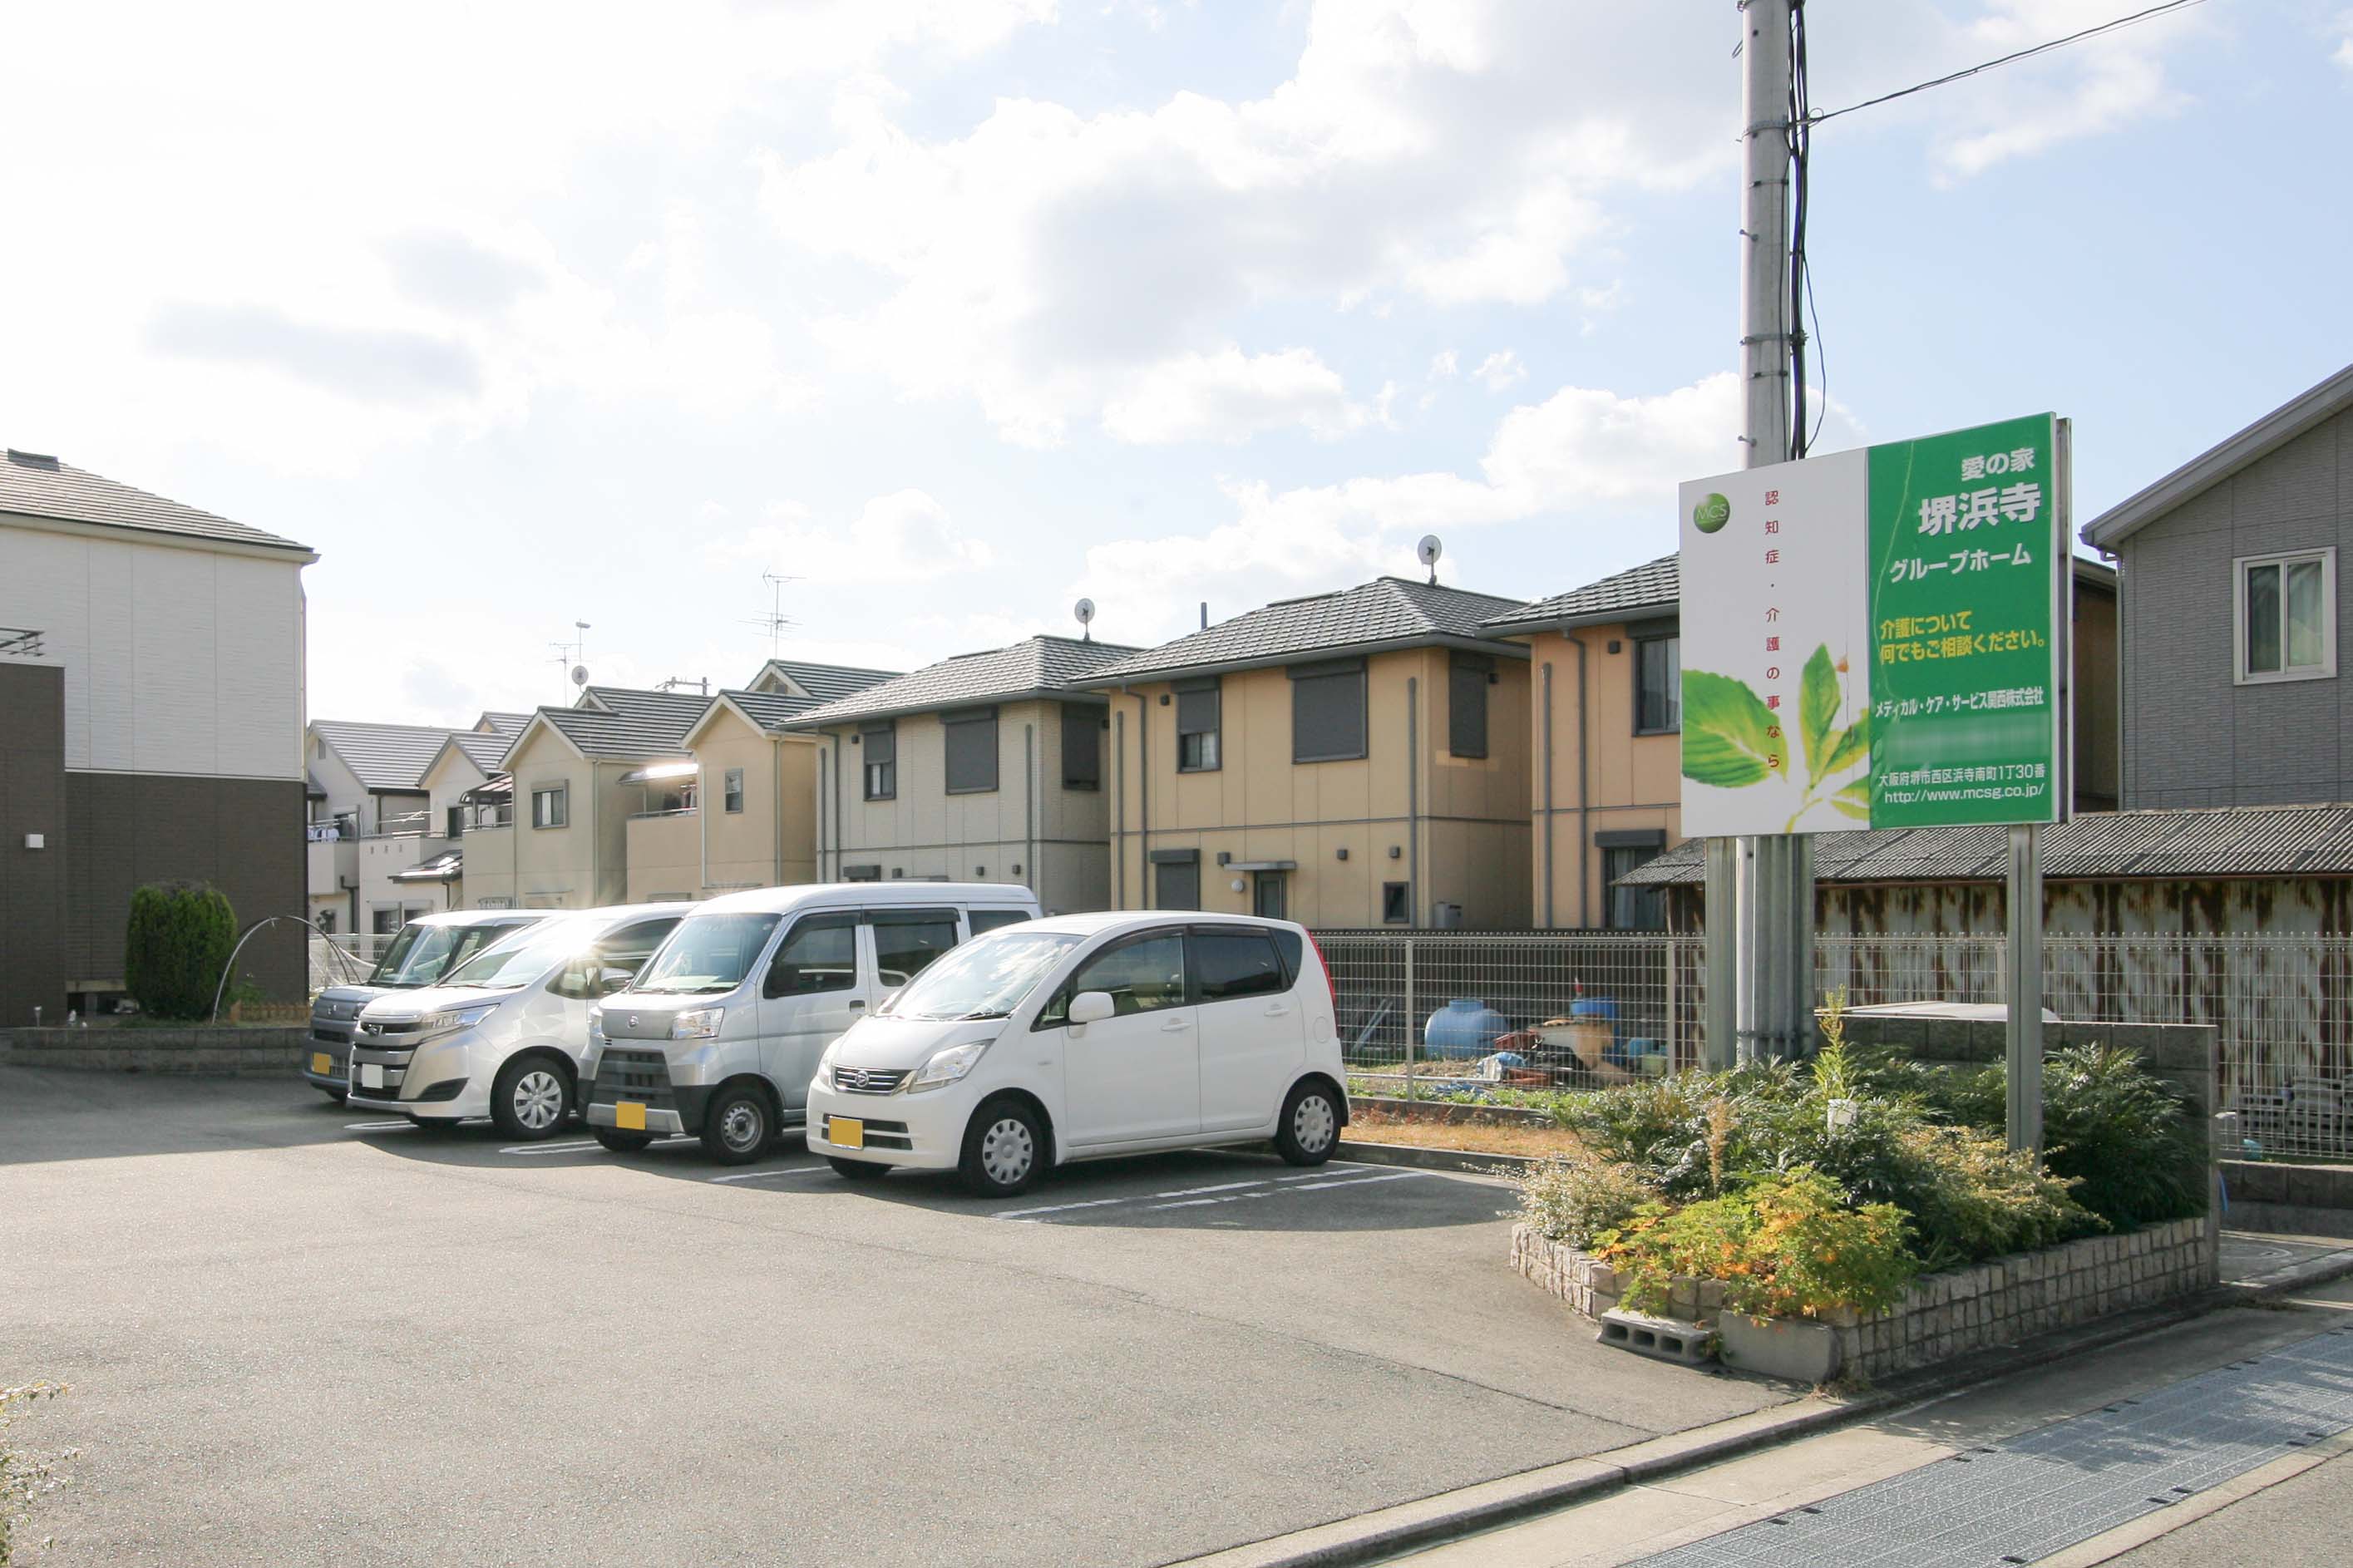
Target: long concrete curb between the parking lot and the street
1444,1517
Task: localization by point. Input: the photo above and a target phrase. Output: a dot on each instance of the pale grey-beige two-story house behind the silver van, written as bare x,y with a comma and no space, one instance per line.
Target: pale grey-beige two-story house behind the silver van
978,769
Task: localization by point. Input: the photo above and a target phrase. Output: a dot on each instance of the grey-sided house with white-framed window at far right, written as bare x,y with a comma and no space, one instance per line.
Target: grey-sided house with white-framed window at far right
2232,620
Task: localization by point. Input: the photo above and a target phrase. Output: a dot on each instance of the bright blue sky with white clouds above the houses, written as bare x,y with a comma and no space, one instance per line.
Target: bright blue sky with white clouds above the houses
959,310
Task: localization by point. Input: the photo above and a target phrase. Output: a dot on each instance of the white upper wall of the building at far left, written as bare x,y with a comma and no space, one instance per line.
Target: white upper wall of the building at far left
178,660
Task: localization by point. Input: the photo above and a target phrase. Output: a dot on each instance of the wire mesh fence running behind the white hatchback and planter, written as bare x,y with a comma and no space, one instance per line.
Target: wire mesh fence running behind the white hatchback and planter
1585,1009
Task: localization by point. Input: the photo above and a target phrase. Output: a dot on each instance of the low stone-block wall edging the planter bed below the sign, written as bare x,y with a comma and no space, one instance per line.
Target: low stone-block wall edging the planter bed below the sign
1942,1315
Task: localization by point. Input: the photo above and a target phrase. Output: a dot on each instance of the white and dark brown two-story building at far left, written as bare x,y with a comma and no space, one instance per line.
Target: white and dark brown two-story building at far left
152,729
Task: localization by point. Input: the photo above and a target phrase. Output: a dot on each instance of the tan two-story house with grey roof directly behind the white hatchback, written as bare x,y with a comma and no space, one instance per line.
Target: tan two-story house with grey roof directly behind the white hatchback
1342,759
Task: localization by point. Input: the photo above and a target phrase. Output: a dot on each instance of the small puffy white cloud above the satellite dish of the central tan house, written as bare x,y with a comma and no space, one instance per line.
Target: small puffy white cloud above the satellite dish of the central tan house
1232,397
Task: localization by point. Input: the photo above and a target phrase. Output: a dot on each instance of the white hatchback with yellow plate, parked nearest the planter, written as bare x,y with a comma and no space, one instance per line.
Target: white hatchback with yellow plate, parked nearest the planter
1086,1037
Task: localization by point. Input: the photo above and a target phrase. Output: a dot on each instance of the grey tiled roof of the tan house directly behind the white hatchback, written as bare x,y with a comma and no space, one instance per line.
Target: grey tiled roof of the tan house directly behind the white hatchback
1382,613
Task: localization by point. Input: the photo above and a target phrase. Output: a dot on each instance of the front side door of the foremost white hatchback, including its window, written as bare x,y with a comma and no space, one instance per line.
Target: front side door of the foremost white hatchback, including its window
1138,1072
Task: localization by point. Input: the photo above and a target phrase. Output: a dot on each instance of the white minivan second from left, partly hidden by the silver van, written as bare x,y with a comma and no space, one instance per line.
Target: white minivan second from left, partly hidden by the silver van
502,1035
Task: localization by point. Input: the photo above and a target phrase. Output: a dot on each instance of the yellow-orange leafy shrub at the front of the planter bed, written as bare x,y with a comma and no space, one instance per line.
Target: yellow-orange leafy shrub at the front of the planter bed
1785,1247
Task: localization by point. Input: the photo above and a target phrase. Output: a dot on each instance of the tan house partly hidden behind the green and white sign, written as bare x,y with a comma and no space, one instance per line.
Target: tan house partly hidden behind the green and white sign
1606,733
